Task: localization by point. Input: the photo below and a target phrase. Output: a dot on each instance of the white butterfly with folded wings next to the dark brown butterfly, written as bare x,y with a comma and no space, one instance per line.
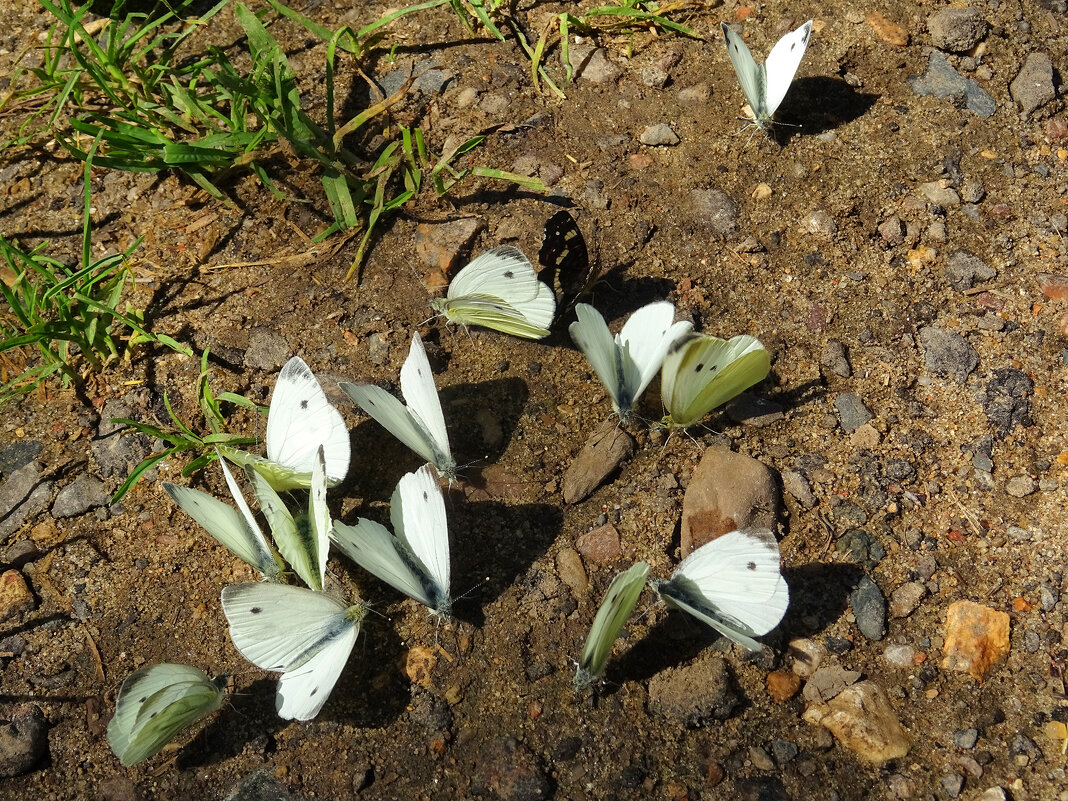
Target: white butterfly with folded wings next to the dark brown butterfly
500,290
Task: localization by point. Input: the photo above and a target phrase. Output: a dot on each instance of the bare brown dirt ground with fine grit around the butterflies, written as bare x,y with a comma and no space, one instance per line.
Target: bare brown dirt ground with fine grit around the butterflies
802,265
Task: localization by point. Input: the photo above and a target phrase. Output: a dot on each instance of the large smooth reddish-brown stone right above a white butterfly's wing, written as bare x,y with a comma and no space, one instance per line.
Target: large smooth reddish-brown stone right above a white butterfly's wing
728,492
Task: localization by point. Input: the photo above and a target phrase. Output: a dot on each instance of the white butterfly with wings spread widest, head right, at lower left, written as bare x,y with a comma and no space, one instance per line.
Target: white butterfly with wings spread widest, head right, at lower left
304,635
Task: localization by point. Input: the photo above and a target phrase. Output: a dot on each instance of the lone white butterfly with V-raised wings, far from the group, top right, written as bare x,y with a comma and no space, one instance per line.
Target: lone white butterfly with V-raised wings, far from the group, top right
765,85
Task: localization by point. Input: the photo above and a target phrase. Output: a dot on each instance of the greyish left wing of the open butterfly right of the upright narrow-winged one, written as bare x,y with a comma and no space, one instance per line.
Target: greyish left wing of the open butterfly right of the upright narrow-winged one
373,548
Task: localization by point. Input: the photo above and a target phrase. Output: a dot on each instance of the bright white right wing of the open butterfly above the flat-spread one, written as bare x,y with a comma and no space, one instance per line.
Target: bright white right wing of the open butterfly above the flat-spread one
418,513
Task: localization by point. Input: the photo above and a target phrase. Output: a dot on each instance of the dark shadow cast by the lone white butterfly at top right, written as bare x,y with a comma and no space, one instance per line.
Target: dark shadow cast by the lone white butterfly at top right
819,104
